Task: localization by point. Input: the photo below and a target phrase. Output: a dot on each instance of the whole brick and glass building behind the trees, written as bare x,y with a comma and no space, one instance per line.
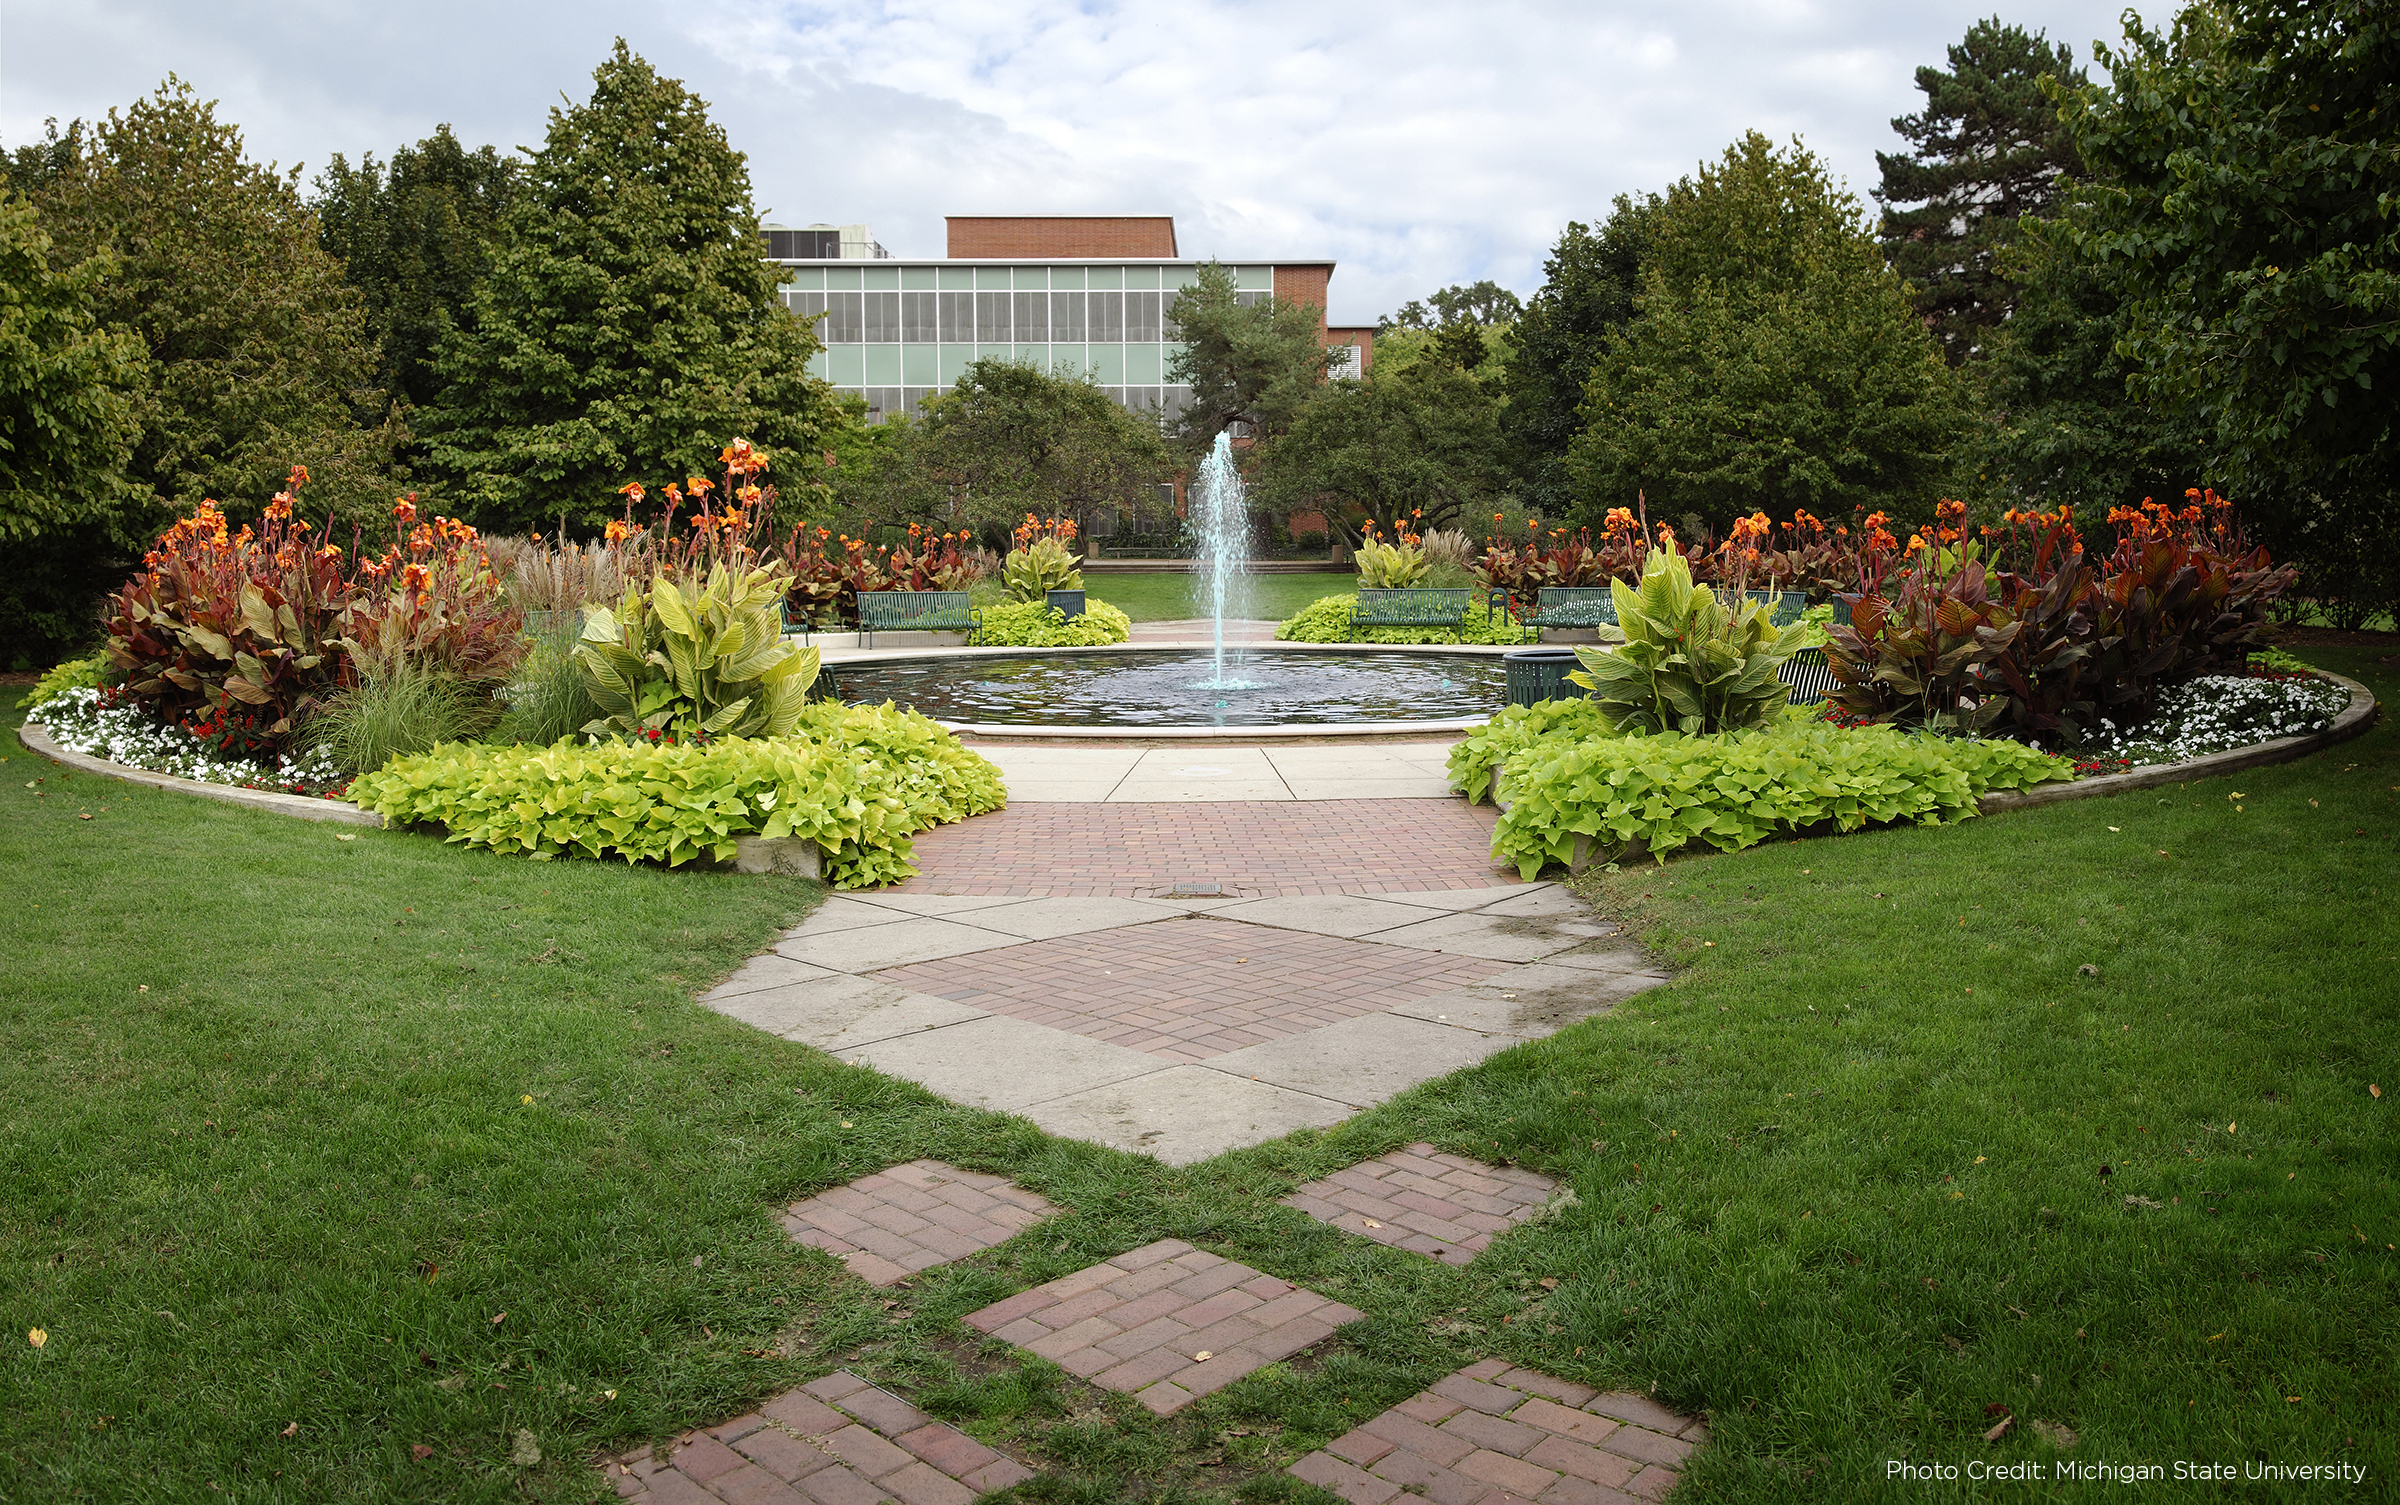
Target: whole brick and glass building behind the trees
1067,292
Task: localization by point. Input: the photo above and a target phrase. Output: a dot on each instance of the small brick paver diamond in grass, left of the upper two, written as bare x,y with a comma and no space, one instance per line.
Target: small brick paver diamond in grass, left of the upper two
923,1213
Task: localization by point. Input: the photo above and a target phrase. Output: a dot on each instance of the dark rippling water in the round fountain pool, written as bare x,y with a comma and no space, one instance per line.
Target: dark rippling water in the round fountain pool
1170,688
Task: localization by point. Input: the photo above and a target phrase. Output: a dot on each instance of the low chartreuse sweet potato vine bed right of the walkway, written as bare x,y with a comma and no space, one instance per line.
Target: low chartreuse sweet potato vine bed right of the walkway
1568,779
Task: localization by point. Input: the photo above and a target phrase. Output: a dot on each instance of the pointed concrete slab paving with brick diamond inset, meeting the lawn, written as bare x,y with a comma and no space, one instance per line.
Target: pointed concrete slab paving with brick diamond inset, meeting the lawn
1153,1033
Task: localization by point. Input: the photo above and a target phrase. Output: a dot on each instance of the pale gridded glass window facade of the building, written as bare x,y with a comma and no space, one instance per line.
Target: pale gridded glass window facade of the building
901,332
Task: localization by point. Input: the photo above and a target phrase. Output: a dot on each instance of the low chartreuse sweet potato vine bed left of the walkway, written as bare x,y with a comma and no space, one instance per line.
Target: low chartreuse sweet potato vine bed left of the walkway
856,779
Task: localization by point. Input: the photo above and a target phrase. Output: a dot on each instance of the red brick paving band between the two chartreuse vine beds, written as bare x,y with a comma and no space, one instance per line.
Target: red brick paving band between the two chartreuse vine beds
1254,849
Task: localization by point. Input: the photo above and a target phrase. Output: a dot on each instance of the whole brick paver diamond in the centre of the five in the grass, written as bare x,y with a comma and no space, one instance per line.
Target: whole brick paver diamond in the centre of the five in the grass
1165,1324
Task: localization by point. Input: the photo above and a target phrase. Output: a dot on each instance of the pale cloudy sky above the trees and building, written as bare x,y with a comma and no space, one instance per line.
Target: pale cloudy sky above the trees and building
1415,143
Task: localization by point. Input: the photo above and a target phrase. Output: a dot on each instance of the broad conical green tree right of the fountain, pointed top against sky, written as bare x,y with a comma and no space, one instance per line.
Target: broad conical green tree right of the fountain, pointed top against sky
1775,359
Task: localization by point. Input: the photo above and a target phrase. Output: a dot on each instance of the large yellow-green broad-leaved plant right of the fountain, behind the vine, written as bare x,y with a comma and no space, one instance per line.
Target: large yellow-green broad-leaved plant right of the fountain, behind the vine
1681,661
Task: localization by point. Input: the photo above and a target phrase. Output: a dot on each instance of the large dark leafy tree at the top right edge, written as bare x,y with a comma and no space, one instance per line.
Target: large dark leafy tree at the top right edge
2240,203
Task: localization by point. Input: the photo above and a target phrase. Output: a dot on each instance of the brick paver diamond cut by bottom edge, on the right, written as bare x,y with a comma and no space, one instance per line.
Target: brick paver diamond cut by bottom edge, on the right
1511,1434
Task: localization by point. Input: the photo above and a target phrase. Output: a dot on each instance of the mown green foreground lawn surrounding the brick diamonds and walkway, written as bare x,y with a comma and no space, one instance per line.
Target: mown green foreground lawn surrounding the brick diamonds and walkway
268,1163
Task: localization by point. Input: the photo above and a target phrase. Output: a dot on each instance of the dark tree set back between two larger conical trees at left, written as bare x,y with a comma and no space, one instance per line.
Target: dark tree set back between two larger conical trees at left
416,241
